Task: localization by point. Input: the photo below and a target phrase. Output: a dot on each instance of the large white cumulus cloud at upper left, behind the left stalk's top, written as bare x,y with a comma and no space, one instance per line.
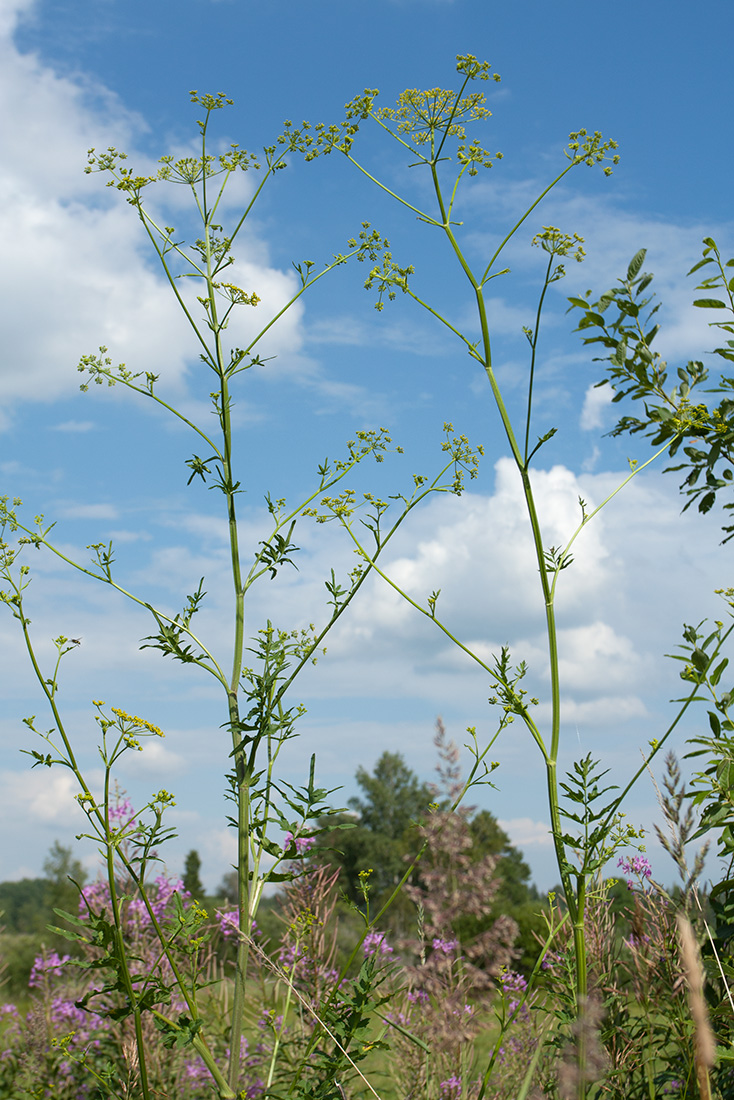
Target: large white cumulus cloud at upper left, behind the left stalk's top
76,272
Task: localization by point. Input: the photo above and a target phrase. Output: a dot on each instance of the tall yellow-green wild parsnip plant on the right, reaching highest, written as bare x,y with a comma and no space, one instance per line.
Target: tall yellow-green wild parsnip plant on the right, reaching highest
431,127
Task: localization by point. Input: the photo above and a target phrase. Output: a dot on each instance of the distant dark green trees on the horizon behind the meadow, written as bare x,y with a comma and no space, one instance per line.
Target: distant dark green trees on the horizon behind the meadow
378,837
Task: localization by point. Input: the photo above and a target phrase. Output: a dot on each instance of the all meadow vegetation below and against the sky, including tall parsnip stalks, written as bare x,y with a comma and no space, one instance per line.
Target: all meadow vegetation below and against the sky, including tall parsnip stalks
404,954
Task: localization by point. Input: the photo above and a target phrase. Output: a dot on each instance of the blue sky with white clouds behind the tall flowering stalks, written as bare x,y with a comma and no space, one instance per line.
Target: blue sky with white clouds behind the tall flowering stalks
78,274
